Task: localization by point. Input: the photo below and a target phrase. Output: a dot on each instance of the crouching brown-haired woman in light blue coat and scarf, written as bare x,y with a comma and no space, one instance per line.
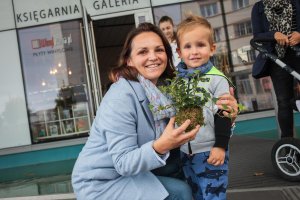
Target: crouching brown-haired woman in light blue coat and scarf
126,140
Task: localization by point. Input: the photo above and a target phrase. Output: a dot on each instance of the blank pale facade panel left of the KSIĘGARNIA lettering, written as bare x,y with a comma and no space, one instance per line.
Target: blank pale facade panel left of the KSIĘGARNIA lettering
6,15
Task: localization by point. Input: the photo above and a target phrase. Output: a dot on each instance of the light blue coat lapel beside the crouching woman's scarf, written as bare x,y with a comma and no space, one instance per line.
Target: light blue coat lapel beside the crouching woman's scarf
140,93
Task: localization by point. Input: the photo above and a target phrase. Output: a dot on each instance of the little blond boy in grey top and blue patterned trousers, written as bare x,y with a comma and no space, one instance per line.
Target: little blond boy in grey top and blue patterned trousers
205,159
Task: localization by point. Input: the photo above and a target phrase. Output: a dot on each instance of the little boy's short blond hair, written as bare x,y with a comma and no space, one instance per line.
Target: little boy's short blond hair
190,23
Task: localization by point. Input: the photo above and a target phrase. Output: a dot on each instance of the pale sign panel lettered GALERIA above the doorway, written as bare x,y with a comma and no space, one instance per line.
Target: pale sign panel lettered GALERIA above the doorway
100,7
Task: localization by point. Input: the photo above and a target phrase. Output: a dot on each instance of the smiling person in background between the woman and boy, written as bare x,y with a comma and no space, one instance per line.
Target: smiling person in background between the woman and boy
167,26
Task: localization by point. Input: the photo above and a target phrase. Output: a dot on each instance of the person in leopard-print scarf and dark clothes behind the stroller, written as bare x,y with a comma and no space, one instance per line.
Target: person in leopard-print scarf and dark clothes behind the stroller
279,20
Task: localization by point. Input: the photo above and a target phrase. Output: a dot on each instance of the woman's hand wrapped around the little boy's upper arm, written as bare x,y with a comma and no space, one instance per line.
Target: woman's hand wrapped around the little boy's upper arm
228,103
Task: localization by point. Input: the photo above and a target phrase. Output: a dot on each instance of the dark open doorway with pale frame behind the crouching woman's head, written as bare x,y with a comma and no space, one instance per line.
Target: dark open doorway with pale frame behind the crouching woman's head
109,34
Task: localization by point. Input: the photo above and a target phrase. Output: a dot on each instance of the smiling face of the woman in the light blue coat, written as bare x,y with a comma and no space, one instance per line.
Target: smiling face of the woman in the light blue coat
148,56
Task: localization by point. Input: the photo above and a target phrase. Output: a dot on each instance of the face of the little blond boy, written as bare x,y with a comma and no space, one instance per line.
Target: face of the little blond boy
195,48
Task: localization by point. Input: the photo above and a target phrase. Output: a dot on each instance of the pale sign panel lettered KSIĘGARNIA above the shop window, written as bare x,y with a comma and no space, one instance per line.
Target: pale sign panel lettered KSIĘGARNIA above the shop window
35,12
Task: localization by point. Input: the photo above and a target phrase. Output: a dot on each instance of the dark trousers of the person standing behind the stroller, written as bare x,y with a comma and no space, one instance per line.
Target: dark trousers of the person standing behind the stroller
283,84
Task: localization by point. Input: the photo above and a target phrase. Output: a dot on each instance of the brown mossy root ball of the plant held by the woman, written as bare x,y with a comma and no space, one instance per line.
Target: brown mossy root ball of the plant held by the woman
195,114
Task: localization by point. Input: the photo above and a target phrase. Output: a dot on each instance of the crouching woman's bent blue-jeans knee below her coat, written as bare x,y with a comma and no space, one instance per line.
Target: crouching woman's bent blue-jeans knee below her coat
177,189
